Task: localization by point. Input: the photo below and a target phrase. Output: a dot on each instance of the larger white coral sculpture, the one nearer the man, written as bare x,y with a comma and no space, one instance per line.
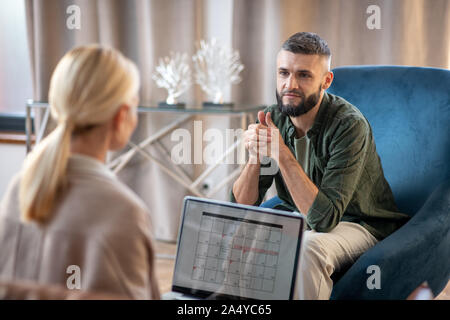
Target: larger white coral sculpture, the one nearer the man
216,67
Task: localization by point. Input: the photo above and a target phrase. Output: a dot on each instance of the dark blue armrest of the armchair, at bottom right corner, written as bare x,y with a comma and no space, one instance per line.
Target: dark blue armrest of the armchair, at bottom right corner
417,252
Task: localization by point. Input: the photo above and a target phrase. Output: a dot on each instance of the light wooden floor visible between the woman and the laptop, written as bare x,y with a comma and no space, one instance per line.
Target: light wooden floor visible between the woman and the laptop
164,269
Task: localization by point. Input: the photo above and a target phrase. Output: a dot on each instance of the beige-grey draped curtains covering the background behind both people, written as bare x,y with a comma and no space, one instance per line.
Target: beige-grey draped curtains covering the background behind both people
413,32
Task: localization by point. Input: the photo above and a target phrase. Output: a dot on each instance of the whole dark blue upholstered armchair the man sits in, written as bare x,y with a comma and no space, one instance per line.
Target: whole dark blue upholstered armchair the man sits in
409,111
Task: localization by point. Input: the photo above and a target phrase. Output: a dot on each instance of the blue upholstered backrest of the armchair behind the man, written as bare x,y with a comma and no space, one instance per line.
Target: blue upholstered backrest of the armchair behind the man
408,109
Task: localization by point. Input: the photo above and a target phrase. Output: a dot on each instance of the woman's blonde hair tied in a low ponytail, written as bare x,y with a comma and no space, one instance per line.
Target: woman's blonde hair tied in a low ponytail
87,87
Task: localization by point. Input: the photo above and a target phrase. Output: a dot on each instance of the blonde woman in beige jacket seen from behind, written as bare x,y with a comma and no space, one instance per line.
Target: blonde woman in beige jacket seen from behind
66,219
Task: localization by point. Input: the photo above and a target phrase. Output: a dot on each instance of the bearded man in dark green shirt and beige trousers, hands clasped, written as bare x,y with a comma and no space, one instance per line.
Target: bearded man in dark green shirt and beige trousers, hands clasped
329,170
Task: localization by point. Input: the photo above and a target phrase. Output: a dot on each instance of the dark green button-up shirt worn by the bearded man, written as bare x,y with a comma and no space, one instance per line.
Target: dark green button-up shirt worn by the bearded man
345,167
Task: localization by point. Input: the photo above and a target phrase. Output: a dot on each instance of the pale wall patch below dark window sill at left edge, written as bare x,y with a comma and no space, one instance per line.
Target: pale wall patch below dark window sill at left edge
11,158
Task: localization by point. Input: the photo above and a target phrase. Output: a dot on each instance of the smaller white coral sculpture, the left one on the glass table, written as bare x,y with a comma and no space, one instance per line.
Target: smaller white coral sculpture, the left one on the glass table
174,74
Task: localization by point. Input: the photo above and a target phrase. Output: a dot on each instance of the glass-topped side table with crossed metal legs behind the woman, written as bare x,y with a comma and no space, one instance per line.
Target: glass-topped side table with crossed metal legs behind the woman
246,114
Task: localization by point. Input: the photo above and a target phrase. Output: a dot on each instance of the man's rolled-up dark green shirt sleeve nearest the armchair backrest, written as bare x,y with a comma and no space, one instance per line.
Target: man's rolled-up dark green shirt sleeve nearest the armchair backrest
348,153
